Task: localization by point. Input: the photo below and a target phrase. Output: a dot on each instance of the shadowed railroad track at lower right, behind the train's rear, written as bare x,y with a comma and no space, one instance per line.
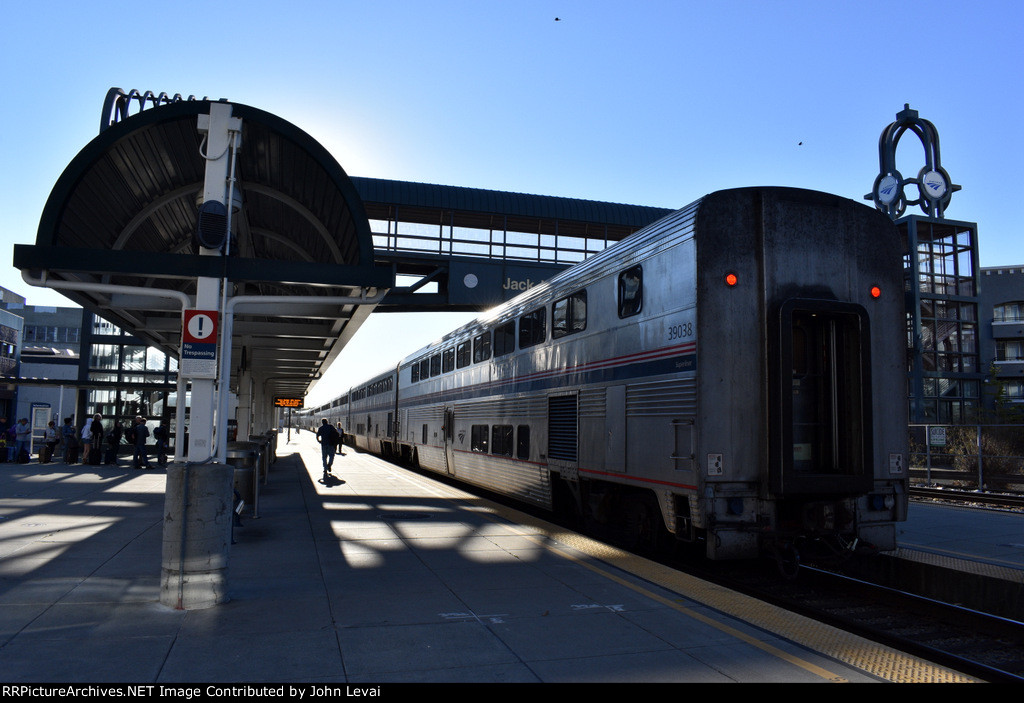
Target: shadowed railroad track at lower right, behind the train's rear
984,646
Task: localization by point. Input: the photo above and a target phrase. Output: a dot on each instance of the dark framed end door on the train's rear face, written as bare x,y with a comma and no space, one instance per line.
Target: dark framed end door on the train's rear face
822,387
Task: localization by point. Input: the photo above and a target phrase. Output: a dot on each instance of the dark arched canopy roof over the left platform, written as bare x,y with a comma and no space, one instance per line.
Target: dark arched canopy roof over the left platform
121,224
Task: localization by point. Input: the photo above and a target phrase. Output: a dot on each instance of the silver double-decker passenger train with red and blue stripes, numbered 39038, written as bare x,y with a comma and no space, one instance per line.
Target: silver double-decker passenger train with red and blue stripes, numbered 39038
732,374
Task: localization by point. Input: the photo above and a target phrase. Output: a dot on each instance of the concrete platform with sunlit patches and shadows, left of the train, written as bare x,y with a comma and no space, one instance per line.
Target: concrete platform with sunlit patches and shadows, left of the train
381,577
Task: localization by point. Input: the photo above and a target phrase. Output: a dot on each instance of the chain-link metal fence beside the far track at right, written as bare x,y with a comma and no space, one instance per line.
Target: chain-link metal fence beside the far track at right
980,457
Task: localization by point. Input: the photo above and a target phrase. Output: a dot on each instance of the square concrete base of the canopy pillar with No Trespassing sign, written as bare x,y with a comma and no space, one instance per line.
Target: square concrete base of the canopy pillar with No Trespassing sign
198,517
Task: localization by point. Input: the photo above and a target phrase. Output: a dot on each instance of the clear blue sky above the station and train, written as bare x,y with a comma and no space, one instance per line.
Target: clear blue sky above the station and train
648,103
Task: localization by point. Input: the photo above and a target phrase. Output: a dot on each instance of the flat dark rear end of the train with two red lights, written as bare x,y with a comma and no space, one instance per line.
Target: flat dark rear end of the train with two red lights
802,441
